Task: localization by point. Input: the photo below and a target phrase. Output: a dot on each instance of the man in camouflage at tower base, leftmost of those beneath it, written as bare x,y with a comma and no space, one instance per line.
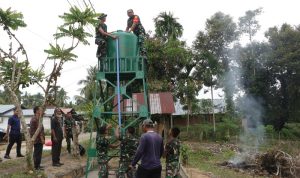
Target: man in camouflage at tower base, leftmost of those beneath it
102,145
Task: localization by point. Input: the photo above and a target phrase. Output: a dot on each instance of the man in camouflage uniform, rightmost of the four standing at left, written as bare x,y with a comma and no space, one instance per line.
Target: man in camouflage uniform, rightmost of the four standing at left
69,124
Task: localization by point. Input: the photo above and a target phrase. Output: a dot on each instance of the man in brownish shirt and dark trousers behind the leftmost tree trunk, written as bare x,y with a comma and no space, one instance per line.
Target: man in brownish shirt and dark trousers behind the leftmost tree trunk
40,139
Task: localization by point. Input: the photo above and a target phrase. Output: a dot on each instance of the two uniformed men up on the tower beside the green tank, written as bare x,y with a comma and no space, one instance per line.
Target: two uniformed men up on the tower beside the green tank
133,25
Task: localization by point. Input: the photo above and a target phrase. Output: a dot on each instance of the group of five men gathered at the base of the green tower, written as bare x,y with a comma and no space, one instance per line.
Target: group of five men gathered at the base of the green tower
148,149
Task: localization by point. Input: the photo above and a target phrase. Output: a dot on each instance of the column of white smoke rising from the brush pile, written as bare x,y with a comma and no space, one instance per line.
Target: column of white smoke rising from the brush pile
249,109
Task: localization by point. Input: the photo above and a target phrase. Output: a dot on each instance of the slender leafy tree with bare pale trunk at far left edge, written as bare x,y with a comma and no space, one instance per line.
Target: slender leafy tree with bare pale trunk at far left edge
15,70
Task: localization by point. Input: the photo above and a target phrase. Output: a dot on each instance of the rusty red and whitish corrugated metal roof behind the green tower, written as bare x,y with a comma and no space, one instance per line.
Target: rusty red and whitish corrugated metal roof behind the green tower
160,103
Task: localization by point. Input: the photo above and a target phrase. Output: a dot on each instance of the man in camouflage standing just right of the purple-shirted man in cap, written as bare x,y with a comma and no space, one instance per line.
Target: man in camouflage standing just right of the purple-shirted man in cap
172,153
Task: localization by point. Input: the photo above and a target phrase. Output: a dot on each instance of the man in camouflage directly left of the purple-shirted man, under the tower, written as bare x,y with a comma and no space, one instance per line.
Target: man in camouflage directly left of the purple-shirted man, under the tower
129,146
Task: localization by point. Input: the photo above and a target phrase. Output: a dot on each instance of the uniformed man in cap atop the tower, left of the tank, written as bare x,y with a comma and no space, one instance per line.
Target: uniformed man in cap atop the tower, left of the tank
102,36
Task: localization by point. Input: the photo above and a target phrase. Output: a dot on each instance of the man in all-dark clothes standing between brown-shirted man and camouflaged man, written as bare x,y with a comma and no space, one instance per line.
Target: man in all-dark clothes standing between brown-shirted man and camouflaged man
56,137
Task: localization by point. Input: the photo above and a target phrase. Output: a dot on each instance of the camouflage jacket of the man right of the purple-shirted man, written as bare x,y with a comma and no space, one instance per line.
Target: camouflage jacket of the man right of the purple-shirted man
172,150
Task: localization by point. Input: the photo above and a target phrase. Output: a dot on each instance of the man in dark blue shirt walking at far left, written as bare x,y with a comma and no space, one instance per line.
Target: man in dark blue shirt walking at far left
13,130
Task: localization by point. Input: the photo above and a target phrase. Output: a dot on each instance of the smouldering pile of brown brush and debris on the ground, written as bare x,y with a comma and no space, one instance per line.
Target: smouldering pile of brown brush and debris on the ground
275,162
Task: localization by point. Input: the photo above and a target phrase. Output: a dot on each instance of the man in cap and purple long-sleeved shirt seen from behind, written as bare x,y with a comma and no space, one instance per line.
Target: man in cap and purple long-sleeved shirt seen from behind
150,150
